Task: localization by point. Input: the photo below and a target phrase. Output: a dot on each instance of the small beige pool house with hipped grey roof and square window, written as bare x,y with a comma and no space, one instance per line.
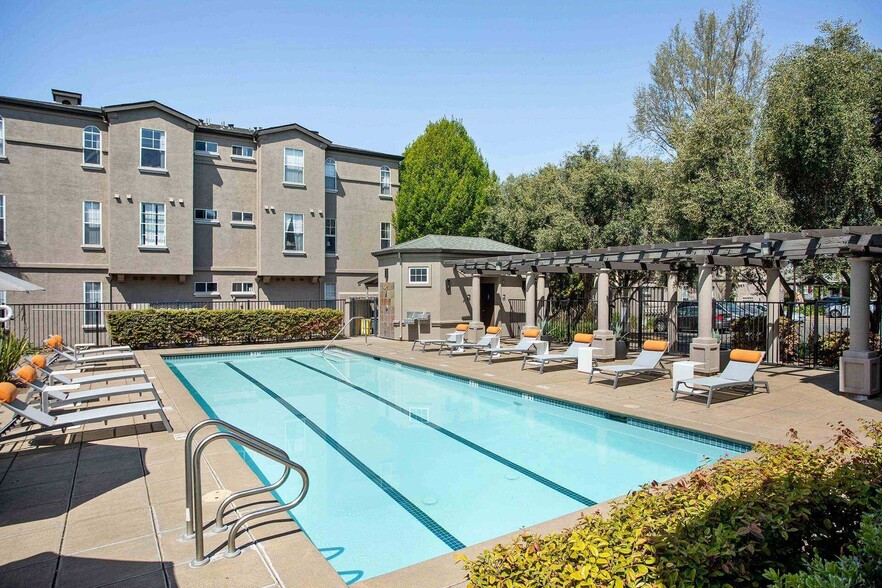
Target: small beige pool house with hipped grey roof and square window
419,297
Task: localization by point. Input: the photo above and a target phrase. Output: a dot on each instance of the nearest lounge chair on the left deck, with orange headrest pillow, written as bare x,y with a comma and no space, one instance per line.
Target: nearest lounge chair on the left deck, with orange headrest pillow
47,422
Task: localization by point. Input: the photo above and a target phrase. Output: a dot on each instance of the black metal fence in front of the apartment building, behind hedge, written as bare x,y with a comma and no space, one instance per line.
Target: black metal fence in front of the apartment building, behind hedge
84,323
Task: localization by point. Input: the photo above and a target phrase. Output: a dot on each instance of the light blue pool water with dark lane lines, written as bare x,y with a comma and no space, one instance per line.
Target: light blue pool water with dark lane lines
406,464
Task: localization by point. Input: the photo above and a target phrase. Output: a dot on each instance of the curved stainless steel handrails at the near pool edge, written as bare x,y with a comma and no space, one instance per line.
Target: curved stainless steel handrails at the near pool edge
193,485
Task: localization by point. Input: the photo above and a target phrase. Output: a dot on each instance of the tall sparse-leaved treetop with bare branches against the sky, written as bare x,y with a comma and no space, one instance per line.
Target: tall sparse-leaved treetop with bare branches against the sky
692,68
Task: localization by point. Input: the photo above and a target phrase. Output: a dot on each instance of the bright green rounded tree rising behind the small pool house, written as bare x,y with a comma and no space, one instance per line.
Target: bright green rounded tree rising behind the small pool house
444,183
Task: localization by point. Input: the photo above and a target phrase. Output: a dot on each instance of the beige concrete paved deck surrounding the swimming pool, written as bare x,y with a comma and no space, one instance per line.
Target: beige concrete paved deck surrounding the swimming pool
104,505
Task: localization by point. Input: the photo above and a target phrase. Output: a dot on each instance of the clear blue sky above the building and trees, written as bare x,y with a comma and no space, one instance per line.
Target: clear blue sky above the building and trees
530,80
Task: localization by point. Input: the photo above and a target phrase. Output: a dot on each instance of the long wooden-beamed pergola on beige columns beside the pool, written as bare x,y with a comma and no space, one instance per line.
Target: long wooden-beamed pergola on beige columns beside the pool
859,365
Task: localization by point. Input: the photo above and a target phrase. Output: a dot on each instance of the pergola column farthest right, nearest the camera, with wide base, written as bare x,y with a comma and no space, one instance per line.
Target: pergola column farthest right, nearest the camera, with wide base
859,364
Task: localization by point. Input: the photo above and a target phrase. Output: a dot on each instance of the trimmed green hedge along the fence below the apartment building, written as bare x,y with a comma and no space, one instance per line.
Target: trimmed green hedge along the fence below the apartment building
176,328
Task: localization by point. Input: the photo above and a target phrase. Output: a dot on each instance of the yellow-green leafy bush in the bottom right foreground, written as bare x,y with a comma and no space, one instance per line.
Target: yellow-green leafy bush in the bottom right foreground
725,524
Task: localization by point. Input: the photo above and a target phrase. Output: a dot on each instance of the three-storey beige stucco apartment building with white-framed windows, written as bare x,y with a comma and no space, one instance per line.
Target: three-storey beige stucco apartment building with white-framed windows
142,203
